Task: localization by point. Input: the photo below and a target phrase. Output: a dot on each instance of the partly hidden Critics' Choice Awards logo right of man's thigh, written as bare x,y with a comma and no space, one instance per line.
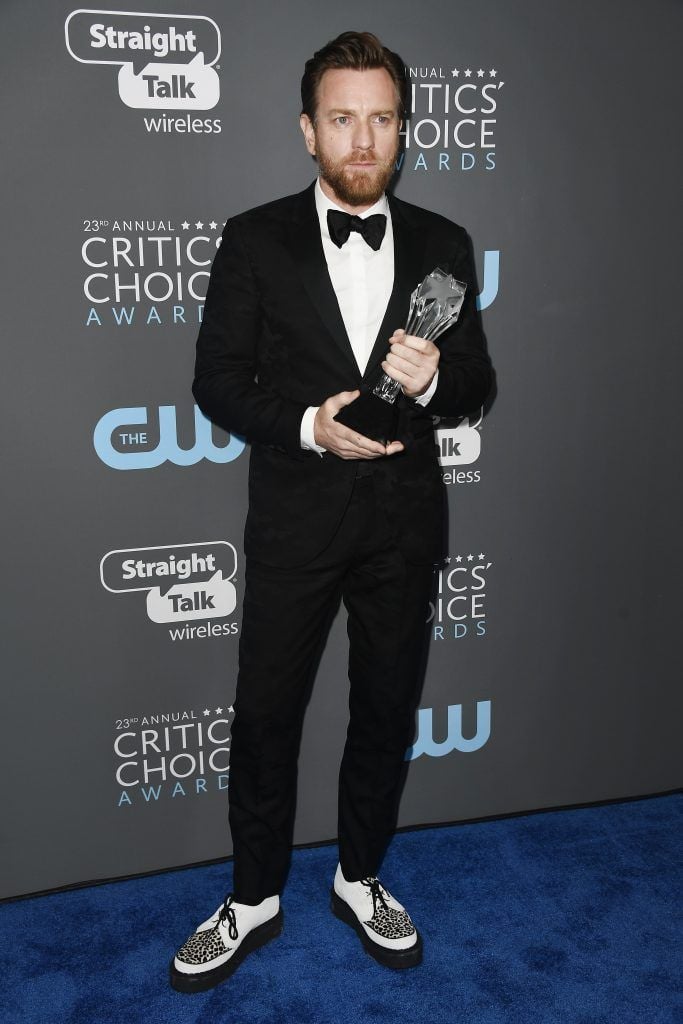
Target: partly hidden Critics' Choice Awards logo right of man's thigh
459,609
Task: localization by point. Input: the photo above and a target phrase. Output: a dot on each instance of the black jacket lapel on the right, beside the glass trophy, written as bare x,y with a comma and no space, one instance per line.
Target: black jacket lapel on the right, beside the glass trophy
409,244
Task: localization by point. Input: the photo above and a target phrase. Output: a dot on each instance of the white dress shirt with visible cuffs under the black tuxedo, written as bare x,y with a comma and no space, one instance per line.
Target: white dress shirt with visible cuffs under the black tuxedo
363,281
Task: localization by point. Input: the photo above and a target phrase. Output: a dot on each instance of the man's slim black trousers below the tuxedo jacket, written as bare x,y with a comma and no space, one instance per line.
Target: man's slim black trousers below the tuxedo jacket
286,617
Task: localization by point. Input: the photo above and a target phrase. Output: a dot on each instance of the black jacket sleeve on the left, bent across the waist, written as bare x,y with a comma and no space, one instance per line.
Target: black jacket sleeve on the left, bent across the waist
226,385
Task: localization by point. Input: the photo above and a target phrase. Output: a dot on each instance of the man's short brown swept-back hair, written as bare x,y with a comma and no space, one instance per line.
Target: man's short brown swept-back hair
360,52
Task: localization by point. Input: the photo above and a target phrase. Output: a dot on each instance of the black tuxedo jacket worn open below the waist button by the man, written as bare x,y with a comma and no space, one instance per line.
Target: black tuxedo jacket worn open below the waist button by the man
273,343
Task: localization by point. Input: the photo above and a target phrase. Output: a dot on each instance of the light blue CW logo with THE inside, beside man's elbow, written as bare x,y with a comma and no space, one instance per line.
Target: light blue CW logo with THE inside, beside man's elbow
123,421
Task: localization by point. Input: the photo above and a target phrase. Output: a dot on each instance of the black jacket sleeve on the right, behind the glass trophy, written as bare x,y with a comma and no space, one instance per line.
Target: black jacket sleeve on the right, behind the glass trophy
465,374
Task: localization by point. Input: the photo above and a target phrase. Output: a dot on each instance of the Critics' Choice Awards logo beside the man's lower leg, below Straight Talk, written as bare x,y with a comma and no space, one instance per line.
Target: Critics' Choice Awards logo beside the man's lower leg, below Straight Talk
172,755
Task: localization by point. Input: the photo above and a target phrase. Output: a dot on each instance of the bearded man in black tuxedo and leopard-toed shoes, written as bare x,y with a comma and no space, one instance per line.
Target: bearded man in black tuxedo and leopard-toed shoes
305,296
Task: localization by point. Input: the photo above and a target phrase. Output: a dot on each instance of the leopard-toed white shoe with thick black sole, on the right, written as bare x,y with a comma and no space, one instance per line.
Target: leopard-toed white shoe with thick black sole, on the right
381,923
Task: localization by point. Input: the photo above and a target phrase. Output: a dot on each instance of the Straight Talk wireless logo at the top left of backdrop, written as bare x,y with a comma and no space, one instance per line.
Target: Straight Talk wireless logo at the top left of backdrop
165,62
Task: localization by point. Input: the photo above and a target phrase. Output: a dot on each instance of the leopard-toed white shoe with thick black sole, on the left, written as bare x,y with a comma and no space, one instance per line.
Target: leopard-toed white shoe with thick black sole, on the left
216,951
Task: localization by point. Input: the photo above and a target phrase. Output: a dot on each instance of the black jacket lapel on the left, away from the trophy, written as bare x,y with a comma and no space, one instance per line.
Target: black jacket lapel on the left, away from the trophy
306,246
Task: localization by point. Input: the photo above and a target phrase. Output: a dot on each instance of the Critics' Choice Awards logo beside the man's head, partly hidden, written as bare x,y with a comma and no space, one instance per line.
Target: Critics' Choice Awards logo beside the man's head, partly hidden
453,119
